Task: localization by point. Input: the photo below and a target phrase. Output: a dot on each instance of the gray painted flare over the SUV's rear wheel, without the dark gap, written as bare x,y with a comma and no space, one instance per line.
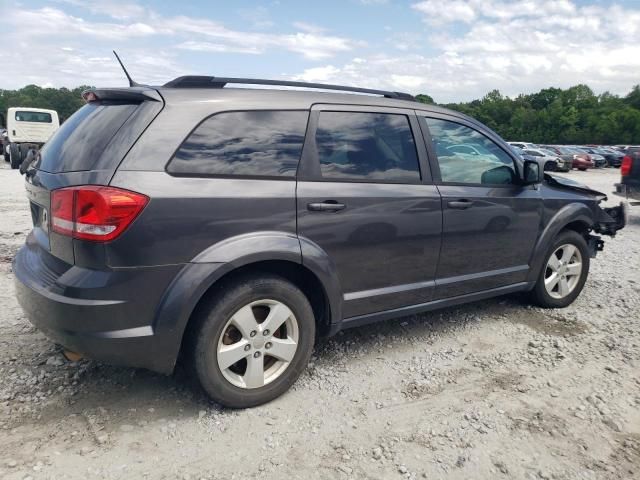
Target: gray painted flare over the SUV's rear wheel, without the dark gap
195,278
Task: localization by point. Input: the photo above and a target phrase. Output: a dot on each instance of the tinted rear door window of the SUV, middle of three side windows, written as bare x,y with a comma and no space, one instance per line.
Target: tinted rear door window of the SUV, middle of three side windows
376,147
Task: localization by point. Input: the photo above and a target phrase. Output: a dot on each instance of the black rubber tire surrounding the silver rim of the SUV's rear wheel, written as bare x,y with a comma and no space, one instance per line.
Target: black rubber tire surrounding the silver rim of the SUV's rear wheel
212,320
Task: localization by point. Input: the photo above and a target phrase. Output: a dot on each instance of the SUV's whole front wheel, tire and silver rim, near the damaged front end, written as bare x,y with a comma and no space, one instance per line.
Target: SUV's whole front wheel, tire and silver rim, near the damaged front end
564,272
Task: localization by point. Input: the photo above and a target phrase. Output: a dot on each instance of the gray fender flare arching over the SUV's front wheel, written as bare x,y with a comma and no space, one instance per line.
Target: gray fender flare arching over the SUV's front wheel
571,213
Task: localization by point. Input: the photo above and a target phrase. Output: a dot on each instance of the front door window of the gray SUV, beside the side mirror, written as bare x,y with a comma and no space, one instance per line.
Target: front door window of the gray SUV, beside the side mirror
483,162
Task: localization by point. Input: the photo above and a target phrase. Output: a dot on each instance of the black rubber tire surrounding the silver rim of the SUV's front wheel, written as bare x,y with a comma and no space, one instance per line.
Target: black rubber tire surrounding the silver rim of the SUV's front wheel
539,294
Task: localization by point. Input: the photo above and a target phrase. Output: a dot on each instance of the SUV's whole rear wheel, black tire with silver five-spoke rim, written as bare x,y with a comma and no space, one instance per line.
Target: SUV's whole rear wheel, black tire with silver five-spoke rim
252,341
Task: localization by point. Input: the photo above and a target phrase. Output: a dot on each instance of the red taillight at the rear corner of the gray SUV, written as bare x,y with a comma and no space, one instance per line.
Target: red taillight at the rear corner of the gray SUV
92,212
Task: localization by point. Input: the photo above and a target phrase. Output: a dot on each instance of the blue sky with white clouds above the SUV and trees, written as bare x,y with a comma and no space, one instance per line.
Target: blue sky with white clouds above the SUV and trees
453,50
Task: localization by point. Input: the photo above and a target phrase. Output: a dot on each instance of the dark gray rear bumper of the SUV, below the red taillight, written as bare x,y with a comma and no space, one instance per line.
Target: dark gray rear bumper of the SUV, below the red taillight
97,313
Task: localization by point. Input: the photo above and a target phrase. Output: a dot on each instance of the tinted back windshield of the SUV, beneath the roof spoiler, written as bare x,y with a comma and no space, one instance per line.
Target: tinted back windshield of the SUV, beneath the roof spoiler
79,142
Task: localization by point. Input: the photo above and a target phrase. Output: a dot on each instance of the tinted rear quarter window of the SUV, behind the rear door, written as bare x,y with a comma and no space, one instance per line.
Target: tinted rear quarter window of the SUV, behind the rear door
256,143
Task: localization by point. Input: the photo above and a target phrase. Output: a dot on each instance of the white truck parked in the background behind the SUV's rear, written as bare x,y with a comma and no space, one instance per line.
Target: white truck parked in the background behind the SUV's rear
27,128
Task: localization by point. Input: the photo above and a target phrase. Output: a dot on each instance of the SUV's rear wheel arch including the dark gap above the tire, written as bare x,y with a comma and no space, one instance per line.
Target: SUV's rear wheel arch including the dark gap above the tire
275,253
